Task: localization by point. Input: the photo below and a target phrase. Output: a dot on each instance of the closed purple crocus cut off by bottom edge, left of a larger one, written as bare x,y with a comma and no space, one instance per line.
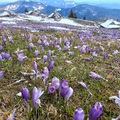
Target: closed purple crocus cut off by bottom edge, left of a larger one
79,114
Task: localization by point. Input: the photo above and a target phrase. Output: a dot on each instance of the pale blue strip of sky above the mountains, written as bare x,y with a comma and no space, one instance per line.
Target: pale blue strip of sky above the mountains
83,1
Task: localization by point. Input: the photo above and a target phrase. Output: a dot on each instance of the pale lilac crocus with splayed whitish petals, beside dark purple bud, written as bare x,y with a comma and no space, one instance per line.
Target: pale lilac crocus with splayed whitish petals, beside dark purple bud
36,94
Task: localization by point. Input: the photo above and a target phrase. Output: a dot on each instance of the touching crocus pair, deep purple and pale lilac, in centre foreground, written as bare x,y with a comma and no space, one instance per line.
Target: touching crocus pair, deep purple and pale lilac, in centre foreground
65,90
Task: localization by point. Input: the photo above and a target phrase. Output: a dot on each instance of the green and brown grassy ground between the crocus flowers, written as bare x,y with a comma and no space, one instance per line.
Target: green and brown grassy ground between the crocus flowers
53,106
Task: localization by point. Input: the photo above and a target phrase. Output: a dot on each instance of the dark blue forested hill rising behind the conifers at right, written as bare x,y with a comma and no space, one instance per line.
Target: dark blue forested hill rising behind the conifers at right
95,13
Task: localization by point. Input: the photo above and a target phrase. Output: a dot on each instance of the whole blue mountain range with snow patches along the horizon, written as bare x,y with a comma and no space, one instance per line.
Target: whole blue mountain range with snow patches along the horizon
90,12
